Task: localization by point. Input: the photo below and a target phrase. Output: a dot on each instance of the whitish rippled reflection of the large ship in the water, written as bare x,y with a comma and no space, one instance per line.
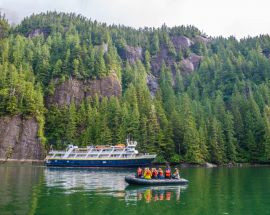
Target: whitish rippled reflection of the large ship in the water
102,181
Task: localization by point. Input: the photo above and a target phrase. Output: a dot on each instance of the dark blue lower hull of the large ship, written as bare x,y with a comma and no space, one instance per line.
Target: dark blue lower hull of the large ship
99,162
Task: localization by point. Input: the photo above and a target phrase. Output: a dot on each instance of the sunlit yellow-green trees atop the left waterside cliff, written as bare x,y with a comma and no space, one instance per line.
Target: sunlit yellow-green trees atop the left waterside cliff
19,95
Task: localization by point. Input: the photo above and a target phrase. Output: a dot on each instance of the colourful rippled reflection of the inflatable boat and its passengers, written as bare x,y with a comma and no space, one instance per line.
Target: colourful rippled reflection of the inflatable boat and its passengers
153,194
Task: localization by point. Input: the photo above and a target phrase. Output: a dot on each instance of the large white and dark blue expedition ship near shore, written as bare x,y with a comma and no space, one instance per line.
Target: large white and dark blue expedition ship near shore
100,156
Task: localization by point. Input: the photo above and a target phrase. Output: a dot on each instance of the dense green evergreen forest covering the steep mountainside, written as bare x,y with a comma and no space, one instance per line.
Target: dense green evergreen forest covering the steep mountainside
220,112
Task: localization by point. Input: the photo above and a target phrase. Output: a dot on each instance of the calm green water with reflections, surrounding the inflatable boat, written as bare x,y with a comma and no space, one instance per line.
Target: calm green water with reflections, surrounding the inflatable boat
28,189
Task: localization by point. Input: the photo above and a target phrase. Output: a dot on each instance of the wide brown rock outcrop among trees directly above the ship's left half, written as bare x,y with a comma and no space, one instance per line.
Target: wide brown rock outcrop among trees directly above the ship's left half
77,90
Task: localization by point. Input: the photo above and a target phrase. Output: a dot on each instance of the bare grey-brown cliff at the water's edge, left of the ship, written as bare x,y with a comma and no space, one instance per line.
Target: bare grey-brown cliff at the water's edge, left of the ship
18,139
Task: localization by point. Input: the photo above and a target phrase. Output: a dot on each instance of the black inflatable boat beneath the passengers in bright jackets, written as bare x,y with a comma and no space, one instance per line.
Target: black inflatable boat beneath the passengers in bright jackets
141,181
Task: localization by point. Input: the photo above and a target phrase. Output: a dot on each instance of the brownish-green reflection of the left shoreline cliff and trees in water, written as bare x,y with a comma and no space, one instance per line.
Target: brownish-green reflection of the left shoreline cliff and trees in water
19,188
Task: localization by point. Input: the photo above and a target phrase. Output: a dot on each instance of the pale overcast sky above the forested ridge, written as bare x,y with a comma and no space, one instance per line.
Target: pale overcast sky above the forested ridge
239,18
